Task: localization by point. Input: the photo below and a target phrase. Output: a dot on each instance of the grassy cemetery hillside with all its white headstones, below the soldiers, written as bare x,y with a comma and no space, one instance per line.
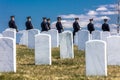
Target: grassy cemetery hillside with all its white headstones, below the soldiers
49,55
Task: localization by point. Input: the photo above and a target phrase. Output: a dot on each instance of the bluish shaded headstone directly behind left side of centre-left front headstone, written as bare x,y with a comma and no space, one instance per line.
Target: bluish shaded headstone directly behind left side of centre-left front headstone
31,38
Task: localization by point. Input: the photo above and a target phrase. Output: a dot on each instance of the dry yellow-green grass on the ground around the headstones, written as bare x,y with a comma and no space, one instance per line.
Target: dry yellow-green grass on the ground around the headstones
61,69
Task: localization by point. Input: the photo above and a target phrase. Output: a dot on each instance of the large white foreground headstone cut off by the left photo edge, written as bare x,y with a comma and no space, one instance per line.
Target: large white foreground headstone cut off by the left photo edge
7,54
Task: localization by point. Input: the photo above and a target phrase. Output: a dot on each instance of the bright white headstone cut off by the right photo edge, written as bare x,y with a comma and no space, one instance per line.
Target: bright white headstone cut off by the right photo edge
113,49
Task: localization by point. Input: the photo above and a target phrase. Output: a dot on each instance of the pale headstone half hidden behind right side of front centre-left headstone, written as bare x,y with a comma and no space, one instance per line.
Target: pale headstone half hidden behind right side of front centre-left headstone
54,37
